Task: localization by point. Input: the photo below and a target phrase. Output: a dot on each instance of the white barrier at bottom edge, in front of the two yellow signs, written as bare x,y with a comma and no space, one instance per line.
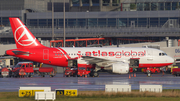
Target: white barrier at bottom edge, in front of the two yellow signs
45,96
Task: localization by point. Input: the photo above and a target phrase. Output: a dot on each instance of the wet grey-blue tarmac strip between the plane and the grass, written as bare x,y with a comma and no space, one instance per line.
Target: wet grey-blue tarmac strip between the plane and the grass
168,81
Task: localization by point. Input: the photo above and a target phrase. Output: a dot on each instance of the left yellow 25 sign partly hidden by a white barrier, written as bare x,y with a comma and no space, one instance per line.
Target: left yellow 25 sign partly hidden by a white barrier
28,93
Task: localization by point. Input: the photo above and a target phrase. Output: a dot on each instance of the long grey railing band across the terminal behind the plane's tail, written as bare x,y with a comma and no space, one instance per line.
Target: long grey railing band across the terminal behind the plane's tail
105,31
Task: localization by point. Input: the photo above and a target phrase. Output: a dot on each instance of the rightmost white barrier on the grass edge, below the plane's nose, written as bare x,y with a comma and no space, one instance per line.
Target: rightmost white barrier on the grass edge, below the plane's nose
150,88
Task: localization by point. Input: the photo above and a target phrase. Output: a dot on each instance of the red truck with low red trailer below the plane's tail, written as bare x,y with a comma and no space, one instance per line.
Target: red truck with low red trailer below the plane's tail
26,69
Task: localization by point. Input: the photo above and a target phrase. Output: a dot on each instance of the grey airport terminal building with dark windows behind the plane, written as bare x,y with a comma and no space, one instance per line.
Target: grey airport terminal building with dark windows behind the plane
127,19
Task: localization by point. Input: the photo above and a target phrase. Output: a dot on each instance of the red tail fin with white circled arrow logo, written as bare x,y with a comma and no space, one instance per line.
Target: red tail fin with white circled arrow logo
22,36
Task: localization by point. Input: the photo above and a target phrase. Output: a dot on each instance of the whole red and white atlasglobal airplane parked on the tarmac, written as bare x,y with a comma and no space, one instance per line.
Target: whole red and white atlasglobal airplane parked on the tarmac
118,60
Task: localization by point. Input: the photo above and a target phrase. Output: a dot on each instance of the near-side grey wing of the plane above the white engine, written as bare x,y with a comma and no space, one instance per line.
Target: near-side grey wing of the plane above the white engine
98,61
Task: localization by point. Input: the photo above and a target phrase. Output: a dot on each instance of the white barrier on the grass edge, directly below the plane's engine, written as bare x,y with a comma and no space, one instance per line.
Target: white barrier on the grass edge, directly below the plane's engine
117,88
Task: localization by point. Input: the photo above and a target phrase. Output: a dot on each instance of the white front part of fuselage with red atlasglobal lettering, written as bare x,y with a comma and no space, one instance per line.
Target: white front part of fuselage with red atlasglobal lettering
147,56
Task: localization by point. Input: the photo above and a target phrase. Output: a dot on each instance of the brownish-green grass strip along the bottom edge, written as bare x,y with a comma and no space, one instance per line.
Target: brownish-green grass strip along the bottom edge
166,95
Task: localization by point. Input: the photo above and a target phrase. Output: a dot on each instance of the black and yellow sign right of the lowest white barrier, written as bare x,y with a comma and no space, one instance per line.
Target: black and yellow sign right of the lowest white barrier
66,92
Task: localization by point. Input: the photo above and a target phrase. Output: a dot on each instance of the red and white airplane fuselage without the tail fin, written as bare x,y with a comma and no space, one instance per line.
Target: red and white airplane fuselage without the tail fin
59,56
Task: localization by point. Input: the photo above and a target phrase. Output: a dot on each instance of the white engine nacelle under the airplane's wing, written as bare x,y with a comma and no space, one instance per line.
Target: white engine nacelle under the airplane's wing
120,68
